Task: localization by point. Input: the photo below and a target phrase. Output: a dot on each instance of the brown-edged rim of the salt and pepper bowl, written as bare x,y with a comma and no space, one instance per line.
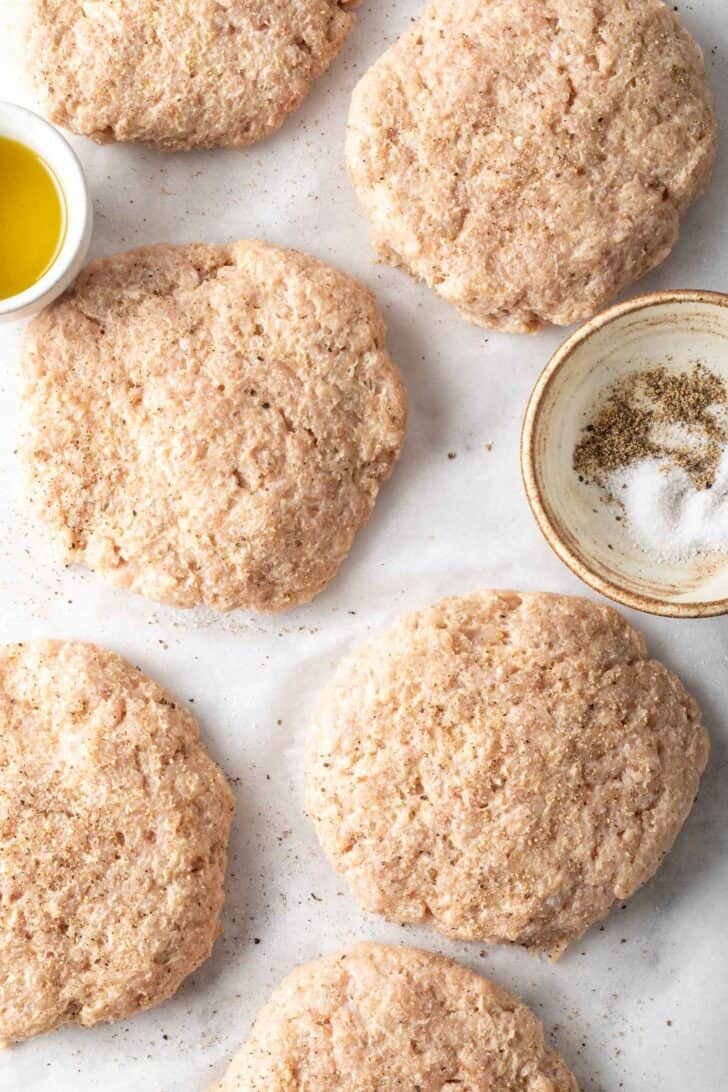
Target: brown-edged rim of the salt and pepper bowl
529,472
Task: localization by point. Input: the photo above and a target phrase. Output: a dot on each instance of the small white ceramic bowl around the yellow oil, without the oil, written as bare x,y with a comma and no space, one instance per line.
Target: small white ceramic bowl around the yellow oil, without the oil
28,128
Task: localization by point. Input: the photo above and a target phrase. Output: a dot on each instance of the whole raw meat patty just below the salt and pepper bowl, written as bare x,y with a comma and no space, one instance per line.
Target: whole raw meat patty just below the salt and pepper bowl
506,766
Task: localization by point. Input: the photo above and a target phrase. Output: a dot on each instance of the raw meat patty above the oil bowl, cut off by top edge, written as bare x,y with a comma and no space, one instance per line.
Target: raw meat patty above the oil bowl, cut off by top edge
197,74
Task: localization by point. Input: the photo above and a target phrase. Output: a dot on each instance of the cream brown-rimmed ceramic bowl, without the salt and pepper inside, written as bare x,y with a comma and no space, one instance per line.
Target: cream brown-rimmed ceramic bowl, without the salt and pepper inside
670,328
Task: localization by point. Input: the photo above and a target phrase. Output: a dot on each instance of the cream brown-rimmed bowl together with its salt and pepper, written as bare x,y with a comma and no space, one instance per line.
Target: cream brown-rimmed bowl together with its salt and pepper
625,454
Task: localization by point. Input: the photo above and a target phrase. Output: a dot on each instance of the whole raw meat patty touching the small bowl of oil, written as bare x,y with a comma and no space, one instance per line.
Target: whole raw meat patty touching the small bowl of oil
212,424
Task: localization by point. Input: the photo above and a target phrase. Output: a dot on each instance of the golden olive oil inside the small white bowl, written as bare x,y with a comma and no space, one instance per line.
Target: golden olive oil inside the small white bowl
32,218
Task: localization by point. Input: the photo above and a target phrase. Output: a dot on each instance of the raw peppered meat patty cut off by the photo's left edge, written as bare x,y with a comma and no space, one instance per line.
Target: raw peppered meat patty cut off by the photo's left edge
114,827
